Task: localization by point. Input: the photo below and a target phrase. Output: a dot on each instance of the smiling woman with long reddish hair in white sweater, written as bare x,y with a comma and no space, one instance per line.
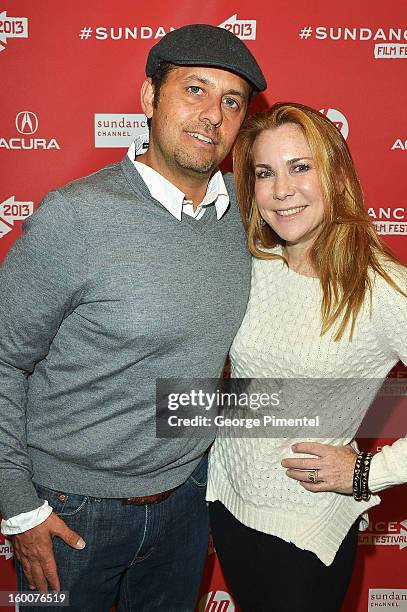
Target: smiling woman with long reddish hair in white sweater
328,301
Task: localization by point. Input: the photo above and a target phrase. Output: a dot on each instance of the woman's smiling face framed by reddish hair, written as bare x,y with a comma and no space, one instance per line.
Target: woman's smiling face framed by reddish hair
287,188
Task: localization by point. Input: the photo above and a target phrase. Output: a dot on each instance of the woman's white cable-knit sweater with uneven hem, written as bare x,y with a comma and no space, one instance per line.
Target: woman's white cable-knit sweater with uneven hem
280,337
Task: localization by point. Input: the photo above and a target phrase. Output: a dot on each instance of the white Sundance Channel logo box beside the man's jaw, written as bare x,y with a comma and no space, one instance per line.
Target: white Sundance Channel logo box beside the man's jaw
113,130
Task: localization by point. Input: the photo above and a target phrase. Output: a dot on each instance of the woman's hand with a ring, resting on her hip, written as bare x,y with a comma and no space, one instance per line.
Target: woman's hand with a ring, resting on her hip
335,465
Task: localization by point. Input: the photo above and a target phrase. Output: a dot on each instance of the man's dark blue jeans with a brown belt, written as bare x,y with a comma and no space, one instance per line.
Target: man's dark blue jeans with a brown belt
146,558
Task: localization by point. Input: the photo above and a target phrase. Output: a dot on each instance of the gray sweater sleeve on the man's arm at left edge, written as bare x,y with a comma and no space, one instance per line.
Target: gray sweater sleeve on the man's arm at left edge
39,282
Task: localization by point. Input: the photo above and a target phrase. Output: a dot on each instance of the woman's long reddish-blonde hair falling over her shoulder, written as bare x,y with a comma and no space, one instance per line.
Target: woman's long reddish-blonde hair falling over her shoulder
347,247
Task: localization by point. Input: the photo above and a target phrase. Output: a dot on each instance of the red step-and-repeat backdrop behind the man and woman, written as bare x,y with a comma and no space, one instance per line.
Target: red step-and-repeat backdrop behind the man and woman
70,75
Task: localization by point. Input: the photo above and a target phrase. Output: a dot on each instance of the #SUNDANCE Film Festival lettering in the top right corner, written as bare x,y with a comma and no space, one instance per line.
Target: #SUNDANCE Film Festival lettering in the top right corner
392,45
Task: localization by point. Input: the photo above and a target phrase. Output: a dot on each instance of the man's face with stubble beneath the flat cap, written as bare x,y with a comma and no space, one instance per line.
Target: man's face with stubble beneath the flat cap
196,119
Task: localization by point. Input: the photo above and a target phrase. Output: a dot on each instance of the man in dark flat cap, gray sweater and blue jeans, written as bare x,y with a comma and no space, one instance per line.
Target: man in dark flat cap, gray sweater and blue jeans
137,272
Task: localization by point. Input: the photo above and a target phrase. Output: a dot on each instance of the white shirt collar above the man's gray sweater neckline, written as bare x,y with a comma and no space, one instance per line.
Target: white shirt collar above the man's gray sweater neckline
167,194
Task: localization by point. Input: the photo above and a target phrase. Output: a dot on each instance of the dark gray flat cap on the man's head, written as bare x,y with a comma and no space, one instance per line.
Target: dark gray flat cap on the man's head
201,44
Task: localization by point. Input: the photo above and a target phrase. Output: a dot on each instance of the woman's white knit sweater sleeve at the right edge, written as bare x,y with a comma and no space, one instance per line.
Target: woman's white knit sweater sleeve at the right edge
389,466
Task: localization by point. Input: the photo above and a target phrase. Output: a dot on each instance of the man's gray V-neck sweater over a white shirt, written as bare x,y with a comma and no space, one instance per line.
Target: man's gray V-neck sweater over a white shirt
105,292
